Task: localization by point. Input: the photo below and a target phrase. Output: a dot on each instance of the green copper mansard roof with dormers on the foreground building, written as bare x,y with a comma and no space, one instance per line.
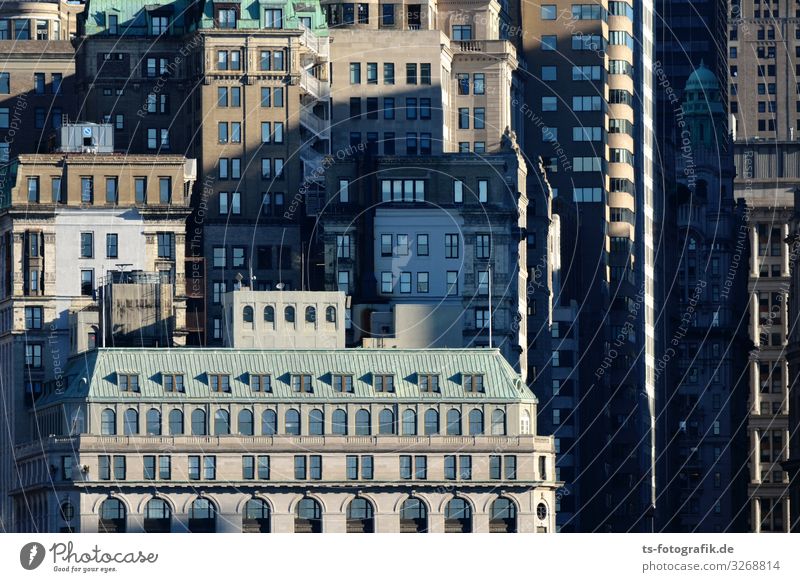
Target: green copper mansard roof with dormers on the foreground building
101,367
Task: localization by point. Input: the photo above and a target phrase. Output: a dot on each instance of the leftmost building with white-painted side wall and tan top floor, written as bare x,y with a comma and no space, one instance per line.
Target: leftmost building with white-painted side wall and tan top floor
67,222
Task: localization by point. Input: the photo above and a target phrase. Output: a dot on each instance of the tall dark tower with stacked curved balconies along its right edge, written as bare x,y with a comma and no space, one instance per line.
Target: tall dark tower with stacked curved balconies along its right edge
583,60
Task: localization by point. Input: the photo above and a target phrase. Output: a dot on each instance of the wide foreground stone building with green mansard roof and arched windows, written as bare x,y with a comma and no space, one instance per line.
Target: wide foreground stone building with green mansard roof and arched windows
288,441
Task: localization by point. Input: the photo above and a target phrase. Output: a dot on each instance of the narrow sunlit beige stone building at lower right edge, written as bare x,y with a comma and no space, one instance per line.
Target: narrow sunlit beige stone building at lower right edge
768,189
